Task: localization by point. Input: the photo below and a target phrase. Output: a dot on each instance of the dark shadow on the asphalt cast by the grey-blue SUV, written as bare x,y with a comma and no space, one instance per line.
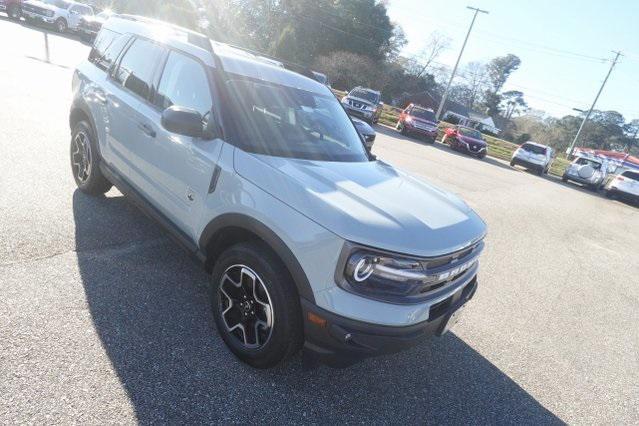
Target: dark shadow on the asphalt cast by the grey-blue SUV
148,303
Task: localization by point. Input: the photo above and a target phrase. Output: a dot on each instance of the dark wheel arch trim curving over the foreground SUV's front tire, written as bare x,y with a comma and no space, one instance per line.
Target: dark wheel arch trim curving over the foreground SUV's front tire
232,228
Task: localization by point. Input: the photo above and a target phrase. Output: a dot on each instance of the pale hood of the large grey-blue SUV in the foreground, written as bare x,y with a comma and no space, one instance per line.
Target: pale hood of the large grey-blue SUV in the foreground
369,203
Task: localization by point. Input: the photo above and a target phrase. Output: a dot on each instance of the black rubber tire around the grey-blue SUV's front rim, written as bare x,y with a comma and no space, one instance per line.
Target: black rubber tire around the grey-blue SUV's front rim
286,334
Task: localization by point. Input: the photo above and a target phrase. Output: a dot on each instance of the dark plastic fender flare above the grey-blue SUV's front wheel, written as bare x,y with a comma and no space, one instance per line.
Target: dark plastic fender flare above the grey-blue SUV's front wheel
265,233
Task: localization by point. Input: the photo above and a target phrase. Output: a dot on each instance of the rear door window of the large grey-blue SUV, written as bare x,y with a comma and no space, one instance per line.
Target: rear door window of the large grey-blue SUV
137,67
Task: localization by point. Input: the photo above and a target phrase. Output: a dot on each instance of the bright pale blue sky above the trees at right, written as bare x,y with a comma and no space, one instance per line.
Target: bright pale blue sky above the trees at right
565,46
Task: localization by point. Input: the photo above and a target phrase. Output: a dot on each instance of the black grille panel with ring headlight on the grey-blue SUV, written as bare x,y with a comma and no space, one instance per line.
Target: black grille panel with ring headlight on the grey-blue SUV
401,279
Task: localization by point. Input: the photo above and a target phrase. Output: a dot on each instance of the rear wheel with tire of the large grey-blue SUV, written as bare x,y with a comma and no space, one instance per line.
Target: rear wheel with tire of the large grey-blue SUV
89,179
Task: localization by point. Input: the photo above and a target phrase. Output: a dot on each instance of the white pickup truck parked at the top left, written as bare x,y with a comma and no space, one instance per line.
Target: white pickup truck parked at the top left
63,15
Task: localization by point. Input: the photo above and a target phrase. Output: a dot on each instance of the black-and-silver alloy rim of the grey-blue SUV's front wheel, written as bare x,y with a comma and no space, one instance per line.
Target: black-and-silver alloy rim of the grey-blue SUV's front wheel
245,306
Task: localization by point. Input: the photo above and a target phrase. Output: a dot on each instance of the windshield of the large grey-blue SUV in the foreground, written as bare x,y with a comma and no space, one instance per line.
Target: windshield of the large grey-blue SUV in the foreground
286,122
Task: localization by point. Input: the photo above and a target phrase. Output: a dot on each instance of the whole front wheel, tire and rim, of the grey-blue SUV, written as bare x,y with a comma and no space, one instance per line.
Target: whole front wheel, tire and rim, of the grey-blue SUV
255,305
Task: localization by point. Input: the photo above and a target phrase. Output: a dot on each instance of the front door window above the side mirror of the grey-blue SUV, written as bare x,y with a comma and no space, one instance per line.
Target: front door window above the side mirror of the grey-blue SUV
184,83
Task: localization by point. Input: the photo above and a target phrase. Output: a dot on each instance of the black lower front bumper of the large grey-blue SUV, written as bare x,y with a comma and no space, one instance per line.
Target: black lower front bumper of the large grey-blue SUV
340,341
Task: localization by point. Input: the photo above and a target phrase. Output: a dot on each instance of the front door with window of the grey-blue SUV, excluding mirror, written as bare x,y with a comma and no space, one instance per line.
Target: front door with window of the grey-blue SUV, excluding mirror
177,170
